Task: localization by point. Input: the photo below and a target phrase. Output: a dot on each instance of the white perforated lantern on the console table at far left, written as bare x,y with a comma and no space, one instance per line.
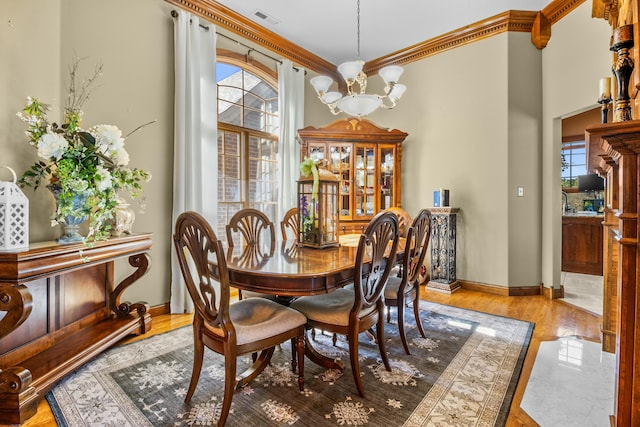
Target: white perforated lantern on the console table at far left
14,216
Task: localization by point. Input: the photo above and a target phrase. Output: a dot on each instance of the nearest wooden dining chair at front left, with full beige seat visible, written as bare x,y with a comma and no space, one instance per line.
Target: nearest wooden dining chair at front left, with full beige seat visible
230,329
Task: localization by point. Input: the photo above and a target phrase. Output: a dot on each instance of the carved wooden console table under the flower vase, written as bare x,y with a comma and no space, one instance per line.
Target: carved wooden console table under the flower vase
59,309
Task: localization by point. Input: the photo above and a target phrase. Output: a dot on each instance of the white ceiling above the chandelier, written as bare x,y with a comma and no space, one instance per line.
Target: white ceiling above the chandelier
328,28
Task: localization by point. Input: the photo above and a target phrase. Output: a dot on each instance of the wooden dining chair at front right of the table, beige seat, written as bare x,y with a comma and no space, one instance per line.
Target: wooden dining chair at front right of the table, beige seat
353,311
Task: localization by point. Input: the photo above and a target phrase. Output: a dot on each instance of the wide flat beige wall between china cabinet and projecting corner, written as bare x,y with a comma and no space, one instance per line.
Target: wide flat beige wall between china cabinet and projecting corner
456,113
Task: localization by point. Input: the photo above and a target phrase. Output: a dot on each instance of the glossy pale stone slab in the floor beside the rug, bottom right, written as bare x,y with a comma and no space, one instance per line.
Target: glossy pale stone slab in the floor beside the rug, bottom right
571,384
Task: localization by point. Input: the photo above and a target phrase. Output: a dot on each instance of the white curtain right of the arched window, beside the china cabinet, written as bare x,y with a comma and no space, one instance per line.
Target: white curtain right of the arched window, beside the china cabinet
291,108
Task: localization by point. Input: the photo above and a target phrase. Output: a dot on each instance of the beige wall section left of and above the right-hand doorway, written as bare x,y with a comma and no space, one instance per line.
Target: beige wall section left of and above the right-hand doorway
575,59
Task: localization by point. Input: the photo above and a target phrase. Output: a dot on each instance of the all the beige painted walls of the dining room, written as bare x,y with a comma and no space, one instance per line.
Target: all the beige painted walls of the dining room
467,111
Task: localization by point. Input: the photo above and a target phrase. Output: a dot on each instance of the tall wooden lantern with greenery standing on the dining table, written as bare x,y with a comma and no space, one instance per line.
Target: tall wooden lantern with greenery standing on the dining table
318,210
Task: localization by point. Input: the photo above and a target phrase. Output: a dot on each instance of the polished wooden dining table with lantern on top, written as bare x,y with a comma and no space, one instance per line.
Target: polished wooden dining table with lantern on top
289,270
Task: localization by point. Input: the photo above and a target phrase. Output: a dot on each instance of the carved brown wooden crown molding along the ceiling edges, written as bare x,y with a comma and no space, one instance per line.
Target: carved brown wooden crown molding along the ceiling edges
537,23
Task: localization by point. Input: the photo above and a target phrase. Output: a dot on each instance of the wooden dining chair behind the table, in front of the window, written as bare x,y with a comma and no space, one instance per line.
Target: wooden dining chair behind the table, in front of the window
252,228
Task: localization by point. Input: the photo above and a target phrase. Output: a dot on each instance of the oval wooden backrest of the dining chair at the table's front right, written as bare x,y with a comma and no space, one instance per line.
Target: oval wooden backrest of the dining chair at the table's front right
374,259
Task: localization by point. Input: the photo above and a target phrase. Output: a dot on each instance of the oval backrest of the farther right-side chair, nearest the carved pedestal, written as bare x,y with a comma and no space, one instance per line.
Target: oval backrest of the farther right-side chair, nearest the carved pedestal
416,245
